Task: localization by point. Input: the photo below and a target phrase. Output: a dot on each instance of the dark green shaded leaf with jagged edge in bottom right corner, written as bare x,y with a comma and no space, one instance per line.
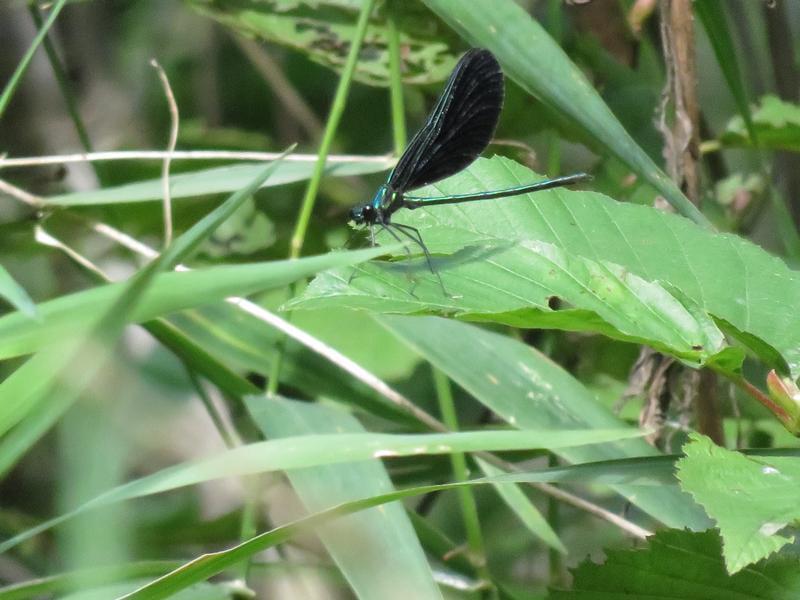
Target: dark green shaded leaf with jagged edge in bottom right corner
680,565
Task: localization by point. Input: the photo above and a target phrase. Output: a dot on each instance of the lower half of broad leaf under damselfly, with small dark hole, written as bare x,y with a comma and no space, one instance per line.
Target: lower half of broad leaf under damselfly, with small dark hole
517,285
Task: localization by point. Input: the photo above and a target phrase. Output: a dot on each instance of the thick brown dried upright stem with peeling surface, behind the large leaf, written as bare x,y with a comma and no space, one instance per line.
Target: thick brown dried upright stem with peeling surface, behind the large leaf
682,150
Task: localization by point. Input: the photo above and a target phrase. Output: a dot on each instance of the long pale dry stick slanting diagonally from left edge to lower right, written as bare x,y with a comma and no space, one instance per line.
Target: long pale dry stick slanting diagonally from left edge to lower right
349,366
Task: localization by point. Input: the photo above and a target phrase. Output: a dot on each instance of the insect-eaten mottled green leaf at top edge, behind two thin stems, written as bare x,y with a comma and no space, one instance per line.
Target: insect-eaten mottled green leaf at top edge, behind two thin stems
323,29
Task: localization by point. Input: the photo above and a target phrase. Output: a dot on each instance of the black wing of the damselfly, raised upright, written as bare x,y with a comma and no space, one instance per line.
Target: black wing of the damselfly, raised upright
460,126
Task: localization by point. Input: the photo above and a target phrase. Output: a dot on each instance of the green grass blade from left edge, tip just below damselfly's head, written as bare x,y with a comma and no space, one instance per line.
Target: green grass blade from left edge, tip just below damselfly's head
171,292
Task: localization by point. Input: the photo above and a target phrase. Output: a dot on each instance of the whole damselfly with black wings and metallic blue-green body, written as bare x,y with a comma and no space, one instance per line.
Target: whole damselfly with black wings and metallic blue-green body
458,129
